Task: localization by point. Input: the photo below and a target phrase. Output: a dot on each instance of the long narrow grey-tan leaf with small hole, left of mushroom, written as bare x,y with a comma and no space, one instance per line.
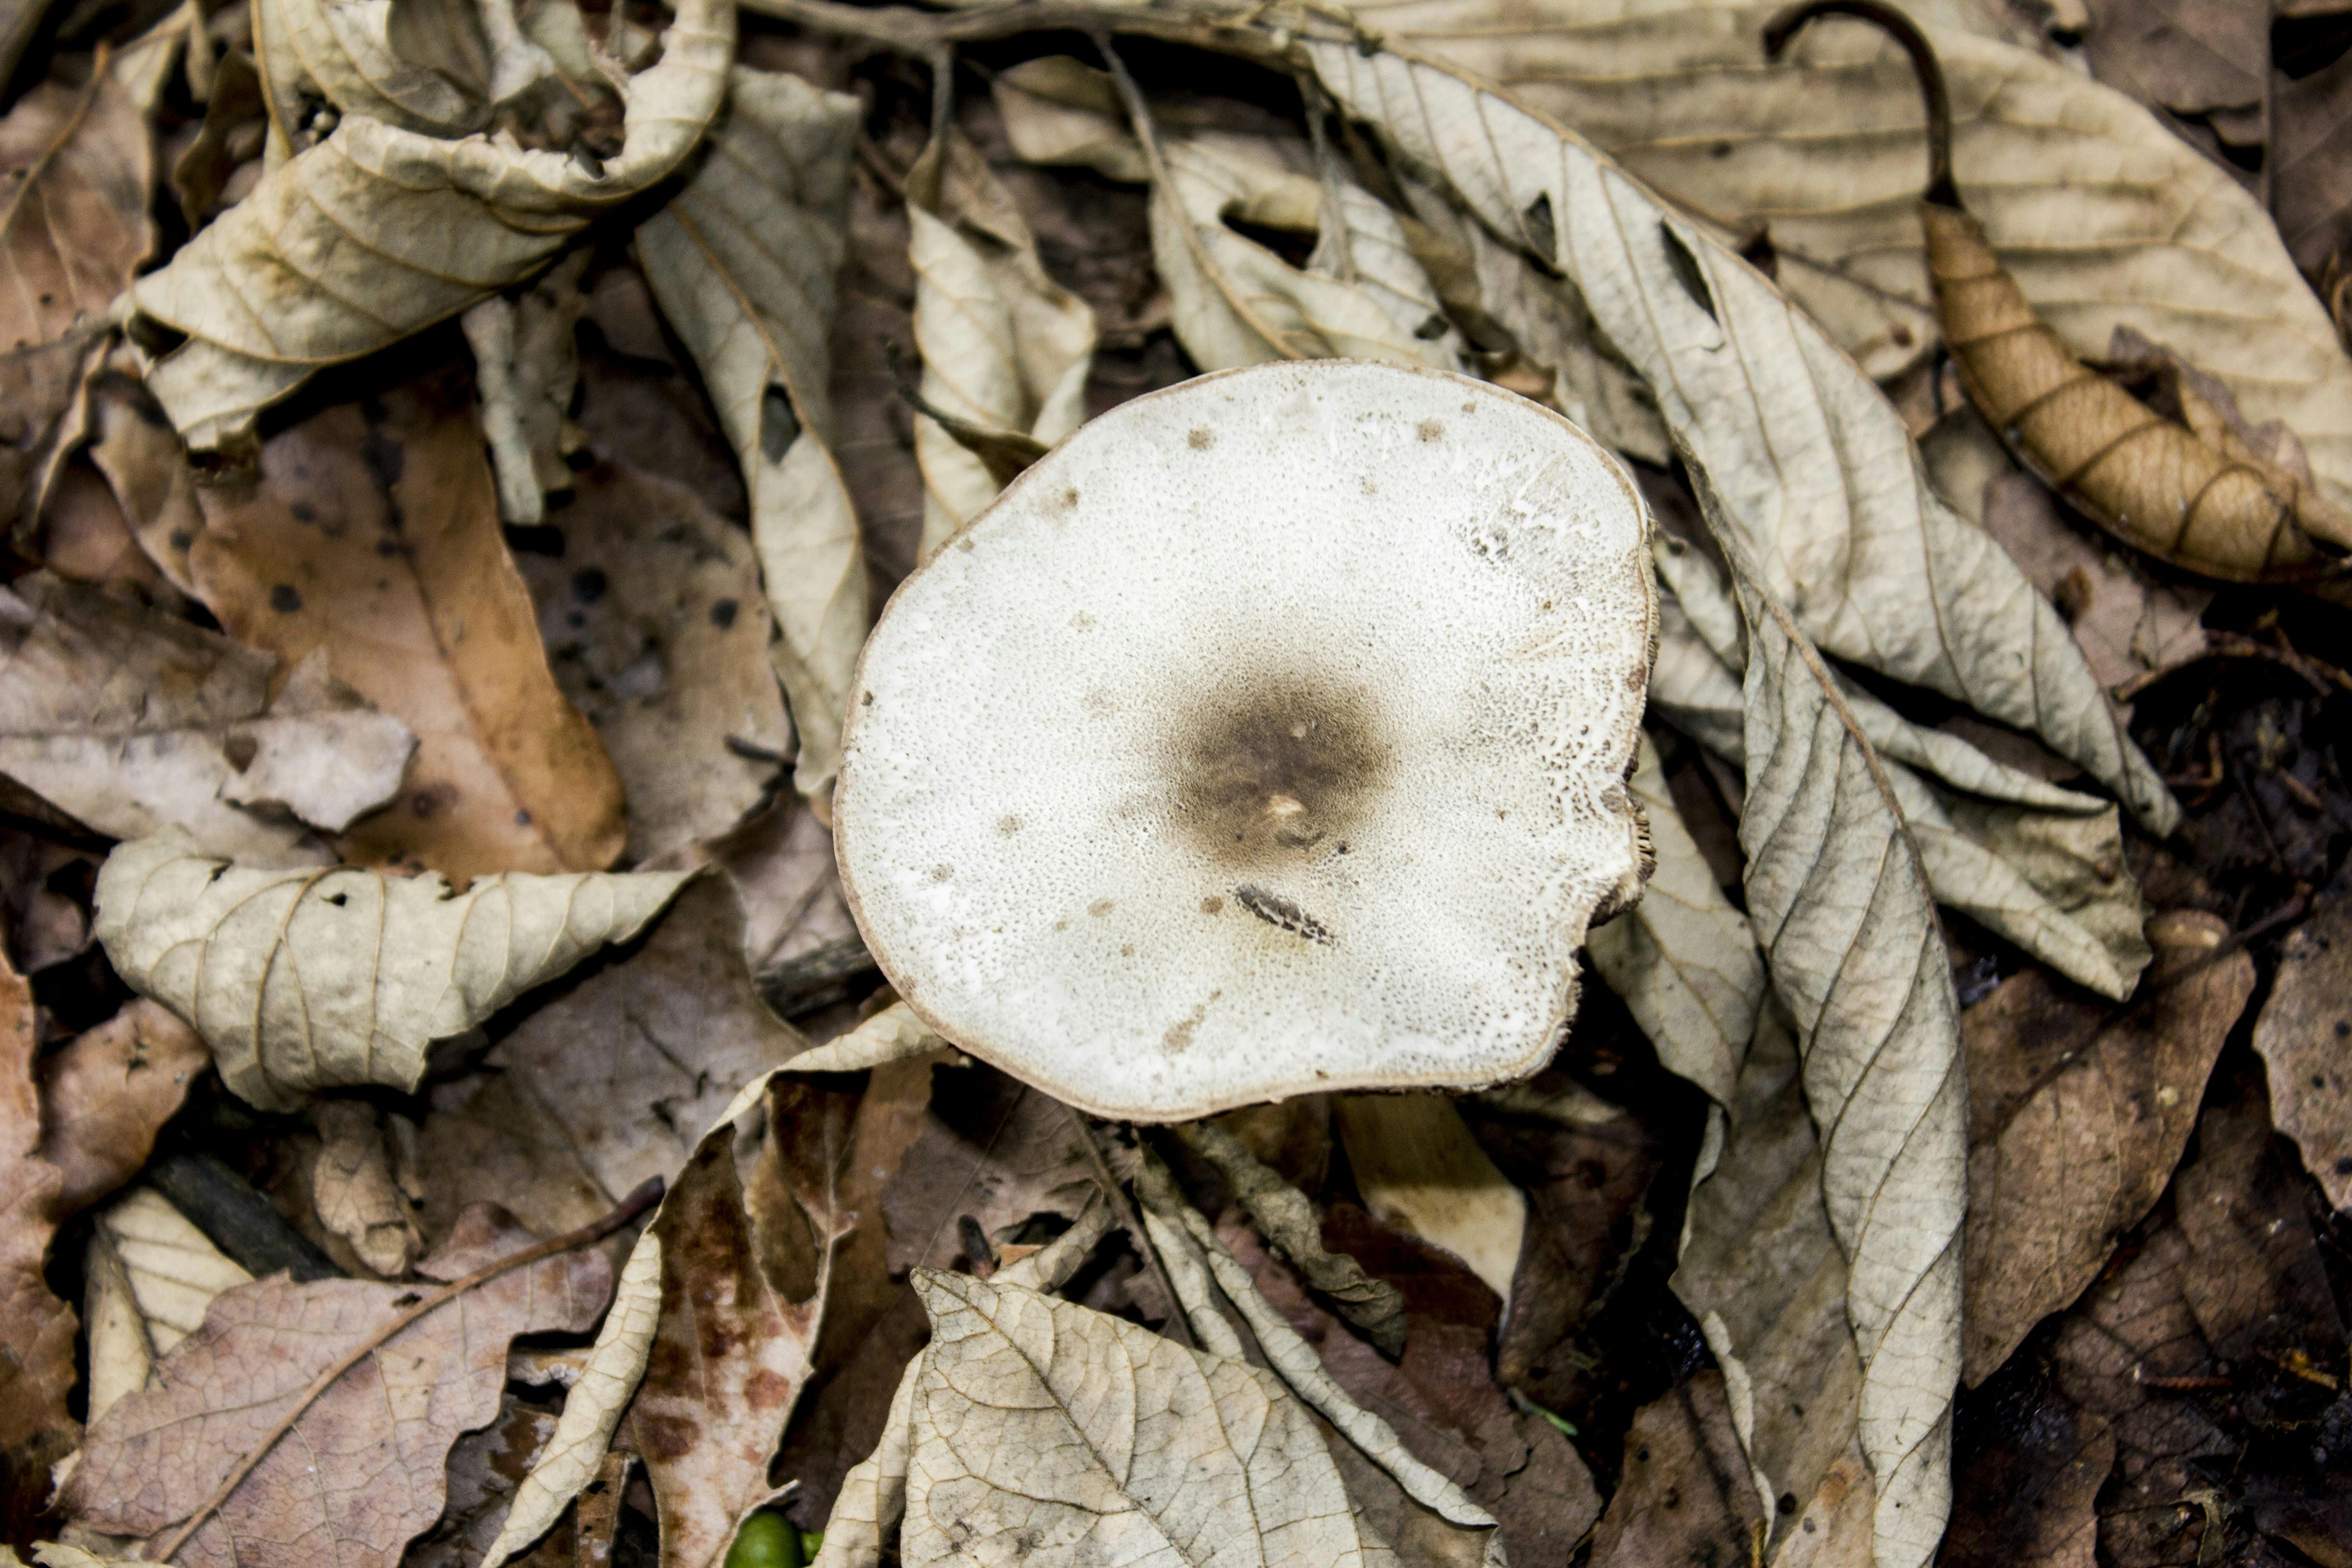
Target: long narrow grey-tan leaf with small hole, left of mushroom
742,262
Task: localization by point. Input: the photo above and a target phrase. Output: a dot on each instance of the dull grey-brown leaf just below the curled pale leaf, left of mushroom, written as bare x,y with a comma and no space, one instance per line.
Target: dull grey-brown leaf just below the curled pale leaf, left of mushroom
629,1066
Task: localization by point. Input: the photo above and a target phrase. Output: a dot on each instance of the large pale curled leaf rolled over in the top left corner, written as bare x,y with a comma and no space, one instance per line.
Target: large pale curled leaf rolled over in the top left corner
380,229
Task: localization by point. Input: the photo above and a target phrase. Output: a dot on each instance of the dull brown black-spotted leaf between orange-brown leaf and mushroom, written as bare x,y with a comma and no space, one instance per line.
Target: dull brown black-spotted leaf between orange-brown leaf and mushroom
655,626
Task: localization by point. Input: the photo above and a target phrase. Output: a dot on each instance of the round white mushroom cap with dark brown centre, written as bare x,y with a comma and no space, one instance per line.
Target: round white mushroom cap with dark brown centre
1267,737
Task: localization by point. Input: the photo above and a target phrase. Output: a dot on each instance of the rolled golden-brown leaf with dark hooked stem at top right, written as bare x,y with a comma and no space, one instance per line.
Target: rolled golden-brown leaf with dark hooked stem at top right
2212,507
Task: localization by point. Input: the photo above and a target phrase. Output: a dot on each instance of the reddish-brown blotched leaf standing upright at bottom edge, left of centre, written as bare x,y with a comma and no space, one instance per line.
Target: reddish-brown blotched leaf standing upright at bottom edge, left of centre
744,1278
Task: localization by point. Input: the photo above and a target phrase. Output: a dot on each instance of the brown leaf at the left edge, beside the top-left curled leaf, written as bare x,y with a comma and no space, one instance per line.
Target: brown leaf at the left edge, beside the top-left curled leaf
74,227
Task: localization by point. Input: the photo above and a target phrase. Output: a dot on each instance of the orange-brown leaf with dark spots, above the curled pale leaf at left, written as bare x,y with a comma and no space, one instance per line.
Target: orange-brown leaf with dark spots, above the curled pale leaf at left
373,535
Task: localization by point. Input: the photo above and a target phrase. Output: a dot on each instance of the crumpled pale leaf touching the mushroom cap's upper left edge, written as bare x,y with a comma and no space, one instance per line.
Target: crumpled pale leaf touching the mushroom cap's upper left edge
1003,344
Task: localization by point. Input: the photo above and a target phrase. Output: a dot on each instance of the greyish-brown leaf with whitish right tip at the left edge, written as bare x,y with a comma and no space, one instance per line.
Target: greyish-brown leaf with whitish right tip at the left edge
135,723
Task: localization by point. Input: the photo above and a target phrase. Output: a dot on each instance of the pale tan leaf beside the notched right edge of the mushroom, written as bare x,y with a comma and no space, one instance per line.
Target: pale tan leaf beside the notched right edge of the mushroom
1683,960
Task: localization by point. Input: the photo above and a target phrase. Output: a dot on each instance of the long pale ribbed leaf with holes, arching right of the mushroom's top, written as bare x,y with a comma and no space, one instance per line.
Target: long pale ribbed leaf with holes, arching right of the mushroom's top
1791,431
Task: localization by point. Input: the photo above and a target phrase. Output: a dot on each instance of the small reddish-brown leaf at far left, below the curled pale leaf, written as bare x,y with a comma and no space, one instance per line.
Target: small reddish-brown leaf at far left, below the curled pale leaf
105,1097
